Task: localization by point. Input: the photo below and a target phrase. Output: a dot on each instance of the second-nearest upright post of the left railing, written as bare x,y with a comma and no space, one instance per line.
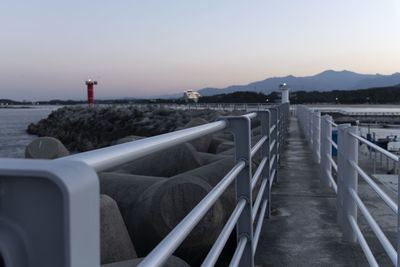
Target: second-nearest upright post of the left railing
265,118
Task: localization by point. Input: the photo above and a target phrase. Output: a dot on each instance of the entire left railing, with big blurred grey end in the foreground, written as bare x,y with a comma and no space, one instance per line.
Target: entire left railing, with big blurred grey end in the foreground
65,192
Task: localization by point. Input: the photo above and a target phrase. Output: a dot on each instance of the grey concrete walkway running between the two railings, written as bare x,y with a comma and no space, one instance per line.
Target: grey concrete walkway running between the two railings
303,232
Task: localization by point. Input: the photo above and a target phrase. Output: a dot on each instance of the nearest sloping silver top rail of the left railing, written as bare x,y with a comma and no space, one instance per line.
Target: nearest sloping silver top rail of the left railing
108,157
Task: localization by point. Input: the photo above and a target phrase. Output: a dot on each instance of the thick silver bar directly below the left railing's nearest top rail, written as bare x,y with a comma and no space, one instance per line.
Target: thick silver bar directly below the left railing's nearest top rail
169,244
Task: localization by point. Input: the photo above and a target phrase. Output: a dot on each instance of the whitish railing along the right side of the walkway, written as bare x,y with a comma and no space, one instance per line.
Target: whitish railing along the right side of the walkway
318,132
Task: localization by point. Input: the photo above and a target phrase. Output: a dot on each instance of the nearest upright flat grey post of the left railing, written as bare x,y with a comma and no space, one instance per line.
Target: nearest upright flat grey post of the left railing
240,127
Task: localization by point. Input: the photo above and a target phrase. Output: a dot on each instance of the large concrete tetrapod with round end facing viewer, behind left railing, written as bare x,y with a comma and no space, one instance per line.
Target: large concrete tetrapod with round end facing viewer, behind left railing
152,207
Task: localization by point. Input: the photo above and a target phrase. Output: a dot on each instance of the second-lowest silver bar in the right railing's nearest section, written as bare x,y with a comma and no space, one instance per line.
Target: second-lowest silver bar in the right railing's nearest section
375,227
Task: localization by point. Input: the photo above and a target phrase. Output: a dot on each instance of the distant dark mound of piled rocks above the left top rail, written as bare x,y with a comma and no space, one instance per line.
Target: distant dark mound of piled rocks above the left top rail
86,128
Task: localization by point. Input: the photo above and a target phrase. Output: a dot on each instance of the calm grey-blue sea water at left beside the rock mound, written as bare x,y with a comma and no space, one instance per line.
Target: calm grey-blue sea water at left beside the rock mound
13,124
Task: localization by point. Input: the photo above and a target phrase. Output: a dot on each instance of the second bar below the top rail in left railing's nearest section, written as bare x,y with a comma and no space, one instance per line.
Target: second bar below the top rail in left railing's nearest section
223,237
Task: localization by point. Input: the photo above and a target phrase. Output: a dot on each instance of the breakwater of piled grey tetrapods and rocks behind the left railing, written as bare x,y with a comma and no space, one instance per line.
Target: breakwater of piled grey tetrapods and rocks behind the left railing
143,200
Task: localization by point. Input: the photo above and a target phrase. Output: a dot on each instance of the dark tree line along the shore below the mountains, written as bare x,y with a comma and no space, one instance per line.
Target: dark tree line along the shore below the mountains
379,95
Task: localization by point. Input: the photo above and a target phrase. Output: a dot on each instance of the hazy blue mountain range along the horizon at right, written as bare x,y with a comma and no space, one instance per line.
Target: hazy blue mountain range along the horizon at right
325,81
